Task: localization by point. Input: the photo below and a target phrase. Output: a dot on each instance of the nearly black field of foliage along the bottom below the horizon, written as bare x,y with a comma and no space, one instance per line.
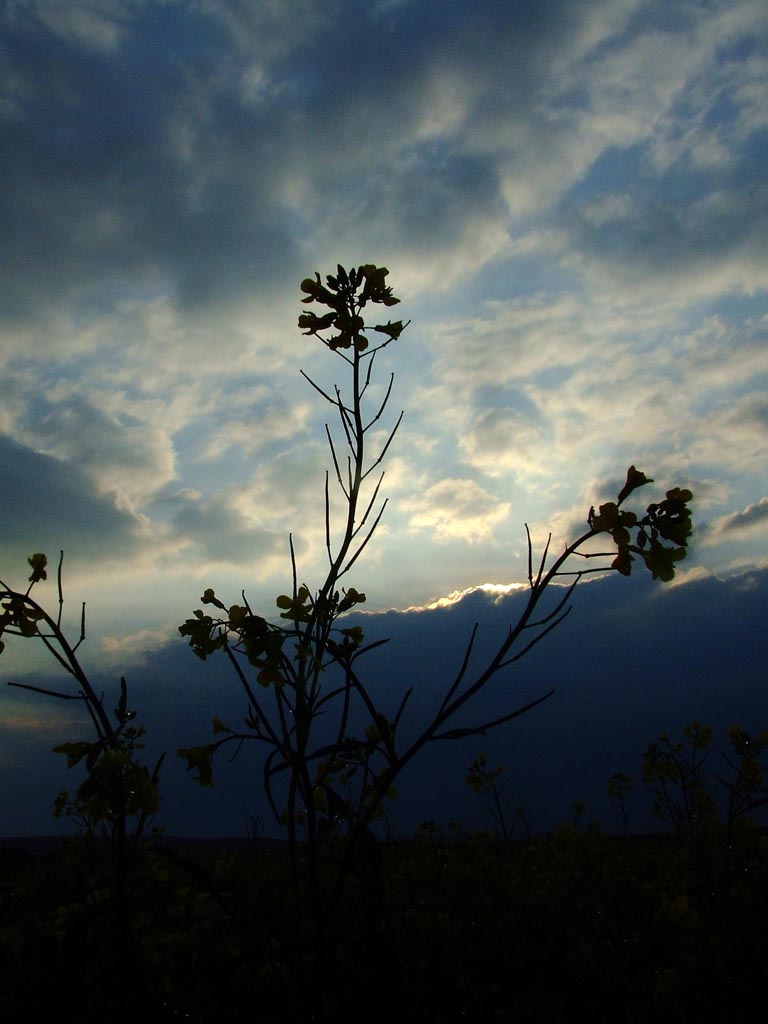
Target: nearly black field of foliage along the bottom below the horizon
571,927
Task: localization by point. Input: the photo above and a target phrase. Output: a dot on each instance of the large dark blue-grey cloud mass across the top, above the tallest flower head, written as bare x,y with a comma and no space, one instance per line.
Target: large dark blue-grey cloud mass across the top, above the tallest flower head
157,167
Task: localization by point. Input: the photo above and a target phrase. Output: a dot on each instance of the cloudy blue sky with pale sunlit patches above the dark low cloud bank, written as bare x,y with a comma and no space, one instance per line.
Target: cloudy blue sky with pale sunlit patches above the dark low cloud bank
572,202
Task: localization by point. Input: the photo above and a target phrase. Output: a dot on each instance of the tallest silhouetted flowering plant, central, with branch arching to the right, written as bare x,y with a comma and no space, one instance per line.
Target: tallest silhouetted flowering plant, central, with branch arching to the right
309,666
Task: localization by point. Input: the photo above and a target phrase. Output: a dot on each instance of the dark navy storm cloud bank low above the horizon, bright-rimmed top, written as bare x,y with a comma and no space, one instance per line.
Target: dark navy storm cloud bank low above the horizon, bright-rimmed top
634,659
